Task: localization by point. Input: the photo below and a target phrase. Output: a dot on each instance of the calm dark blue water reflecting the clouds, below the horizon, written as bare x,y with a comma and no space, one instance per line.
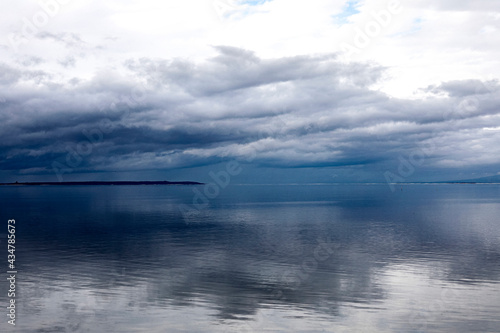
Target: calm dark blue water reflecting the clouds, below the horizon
258,259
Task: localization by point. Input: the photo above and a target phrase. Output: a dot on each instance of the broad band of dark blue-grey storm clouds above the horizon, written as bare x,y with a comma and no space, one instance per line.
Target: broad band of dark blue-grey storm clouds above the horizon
287,112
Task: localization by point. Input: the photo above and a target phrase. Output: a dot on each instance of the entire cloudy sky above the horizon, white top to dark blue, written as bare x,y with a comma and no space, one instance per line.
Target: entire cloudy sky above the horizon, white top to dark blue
292,91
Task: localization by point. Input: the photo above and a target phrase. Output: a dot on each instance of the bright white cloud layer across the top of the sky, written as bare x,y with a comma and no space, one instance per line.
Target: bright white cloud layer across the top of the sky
425,43
